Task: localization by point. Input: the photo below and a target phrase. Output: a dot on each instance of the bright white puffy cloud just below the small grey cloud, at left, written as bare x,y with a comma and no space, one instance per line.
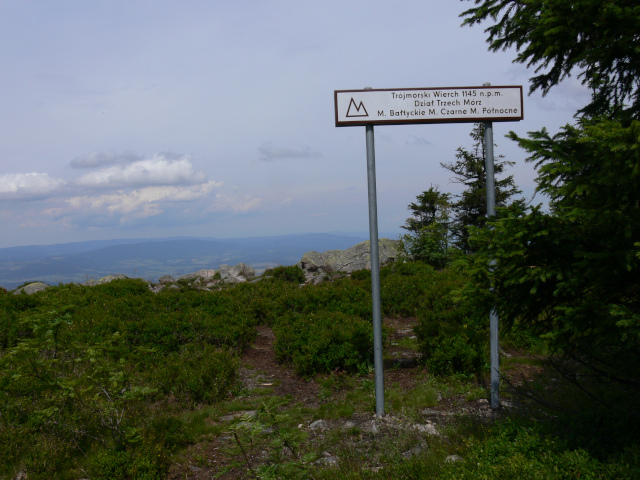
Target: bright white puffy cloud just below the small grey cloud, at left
157,170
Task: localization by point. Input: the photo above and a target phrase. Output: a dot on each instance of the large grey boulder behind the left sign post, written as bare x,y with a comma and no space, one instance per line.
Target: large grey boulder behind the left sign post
357,257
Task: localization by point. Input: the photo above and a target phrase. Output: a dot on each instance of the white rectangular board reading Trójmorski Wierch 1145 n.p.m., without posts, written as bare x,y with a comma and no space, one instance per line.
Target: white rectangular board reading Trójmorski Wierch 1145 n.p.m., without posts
428,105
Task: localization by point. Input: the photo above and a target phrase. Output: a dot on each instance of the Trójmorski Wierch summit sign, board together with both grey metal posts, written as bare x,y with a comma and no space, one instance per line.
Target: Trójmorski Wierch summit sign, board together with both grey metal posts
370,107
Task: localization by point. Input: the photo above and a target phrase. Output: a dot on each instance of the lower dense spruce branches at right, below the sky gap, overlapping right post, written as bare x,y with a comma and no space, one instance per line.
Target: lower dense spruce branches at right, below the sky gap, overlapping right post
573,275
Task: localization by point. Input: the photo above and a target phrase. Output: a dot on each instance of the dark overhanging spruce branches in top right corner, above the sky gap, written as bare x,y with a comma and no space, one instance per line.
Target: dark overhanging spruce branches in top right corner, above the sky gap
595,38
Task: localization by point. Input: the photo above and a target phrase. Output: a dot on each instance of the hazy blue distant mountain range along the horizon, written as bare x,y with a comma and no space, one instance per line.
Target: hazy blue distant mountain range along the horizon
152,258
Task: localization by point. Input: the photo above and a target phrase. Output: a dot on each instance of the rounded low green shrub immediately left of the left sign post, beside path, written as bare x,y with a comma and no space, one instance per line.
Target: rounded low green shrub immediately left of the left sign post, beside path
323,341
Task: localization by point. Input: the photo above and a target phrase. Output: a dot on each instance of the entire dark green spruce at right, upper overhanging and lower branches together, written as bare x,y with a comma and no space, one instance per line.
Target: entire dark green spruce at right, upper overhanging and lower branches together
571,275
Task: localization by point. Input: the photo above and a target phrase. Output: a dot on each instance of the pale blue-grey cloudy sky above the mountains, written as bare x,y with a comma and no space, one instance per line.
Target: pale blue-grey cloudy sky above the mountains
141,119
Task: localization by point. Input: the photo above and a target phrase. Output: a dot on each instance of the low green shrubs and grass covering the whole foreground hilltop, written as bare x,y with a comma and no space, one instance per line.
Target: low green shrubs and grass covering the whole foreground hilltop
116,382
